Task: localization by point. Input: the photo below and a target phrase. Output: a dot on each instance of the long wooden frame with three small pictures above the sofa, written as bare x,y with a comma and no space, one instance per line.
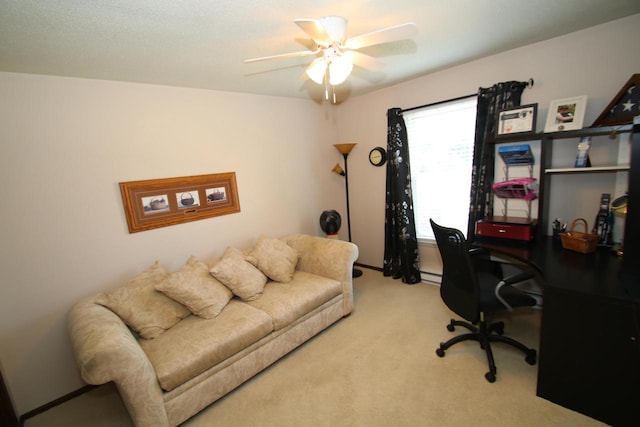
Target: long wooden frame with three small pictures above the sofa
155,203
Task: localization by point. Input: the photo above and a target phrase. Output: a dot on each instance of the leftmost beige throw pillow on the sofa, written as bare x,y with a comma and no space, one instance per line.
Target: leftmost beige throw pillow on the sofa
140,306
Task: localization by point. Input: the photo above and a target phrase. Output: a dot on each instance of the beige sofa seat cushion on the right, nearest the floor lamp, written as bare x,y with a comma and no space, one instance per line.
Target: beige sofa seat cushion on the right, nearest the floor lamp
287,302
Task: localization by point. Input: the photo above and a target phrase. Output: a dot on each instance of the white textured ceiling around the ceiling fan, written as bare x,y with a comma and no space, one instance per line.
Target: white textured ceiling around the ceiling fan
202,43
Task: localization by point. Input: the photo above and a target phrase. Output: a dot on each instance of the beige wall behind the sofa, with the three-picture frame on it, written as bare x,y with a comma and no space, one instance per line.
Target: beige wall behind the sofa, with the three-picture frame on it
65,145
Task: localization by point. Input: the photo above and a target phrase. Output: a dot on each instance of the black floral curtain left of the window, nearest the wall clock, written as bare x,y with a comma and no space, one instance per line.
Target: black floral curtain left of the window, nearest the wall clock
401,258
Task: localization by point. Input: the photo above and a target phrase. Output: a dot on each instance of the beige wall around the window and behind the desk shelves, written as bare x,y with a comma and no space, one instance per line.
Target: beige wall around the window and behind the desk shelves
596,62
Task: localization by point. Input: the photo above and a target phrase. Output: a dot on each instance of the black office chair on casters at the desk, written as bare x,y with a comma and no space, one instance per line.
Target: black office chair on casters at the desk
473,287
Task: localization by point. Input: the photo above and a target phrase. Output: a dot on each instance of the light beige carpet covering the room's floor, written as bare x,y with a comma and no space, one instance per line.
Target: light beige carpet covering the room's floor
377,367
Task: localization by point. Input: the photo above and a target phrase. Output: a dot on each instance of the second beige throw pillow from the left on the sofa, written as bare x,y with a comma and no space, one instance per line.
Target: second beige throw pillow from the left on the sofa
193,286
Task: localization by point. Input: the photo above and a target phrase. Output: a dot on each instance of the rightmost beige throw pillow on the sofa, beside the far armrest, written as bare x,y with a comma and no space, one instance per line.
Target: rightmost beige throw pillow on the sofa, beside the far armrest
274,258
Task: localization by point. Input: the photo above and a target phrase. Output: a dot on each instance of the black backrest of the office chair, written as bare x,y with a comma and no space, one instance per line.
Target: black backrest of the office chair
459,289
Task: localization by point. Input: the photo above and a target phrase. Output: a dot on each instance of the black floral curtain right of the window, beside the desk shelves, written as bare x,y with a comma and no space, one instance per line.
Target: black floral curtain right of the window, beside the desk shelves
490,102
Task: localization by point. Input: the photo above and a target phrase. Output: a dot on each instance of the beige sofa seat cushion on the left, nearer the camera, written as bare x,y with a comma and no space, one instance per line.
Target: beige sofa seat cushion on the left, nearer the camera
196,344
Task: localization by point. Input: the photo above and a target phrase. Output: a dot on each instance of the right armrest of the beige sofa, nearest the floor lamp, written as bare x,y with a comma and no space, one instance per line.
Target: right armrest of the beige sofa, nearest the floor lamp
328,258
